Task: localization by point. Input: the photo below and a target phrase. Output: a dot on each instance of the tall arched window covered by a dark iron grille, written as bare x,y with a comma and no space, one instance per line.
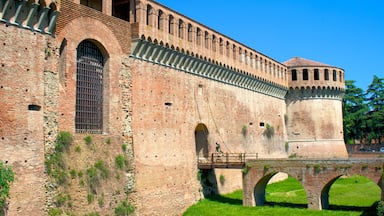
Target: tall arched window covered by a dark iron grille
89,89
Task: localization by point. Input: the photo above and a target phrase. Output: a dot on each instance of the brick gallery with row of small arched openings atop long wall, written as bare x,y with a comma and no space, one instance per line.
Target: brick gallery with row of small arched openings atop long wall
163,24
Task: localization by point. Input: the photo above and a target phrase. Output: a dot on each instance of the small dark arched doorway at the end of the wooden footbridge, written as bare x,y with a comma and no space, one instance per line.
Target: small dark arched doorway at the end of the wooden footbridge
201,141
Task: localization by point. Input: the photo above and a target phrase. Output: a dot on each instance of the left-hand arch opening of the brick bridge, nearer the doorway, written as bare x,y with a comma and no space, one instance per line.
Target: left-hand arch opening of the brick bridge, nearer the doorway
290,189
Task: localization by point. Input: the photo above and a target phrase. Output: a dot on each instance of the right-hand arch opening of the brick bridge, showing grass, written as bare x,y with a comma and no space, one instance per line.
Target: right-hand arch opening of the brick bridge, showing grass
330,199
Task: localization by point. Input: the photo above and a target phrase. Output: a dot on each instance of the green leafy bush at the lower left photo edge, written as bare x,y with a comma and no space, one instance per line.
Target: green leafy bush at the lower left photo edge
7,176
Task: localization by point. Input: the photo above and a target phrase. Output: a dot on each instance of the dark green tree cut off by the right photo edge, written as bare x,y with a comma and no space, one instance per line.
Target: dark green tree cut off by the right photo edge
375,115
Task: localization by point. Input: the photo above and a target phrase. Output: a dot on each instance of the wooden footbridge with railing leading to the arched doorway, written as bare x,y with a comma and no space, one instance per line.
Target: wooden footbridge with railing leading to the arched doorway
225,160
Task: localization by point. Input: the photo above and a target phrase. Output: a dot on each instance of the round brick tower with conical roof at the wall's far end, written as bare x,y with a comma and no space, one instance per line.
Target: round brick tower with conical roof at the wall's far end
314,116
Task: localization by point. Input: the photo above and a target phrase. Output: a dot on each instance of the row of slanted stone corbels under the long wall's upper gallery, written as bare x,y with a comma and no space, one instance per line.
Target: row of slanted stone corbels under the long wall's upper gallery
168,56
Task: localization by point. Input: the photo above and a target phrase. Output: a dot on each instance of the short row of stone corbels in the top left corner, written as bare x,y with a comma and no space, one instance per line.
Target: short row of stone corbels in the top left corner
36,16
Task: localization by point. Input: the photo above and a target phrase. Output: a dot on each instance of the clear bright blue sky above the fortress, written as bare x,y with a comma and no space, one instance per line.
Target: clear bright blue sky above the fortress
344,33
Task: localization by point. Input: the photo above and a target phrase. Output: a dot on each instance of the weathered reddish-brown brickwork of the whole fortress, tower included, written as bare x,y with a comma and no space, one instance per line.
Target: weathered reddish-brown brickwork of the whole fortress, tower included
172,88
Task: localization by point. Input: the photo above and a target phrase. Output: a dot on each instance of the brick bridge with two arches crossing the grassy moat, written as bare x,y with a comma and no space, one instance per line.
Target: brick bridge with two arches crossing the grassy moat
315,175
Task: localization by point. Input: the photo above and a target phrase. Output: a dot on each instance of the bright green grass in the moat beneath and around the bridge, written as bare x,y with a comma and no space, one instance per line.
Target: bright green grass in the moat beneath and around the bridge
355,195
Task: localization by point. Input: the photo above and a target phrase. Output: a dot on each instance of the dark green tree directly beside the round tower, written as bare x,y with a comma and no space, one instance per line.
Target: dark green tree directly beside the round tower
353,112
